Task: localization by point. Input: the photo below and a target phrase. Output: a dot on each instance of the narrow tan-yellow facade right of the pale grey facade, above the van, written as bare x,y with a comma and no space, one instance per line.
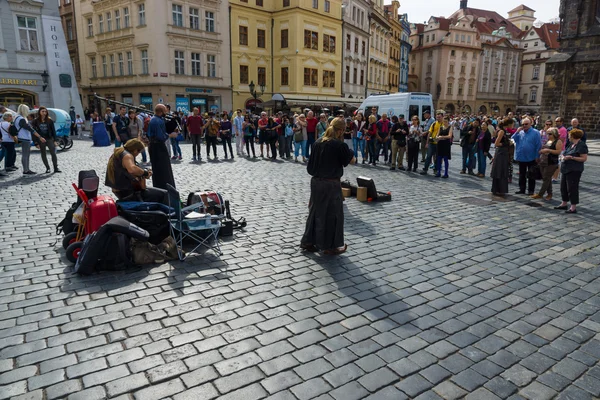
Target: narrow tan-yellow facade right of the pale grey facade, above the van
381,34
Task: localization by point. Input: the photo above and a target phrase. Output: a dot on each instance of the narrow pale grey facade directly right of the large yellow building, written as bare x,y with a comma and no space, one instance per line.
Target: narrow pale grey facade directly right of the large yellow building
356,37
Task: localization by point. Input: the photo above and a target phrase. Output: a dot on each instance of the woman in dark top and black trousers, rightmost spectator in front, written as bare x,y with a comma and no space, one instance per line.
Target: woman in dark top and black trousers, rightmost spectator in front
571,169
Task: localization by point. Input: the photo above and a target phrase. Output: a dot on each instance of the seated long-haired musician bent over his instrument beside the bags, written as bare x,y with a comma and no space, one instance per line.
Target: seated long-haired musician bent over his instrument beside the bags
127,180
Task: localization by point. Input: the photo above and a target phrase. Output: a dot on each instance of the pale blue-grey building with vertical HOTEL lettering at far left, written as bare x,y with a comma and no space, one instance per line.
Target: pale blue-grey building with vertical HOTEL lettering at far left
35,67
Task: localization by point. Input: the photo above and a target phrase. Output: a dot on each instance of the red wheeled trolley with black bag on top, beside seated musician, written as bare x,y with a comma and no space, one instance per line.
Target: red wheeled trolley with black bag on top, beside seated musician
93,211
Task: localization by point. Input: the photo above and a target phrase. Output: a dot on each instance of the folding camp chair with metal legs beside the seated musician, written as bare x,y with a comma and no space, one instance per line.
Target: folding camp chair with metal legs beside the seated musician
187,223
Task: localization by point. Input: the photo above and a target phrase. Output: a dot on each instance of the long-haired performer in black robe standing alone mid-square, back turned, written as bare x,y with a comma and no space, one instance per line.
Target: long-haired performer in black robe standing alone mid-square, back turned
325,223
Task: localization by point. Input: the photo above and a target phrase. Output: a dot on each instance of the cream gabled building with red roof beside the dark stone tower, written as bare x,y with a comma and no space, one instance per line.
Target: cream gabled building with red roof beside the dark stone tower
539,44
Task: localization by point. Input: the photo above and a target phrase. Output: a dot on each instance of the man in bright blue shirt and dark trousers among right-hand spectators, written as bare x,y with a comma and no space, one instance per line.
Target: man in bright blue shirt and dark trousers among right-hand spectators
528,144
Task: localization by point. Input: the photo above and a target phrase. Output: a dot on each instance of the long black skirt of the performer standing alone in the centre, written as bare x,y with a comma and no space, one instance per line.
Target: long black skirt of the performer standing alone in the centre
325,222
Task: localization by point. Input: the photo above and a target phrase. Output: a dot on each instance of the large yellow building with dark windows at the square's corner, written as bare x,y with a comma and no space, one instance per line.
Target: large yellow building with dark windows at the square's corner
291,48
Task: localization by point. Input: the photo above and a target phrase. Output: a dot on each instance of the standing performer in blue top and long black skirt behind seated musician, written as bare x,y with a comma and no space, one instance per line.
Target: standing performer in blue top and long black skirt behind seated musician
159,156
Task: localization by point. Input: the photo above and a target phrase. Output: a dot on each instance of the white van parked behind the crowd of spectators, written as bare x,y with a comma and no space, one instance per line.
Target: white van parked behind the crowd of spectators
407,104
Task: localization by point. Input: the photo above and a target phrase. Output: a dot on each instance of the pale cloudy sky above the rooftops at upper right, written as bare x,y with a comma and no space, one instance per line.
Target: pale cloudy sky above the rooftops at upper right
420,11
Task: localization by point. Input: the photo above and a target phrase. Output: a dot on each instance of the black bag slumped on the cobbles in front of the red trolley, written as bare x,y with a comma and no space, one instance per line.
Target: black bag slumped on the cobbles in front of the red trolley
109,248
